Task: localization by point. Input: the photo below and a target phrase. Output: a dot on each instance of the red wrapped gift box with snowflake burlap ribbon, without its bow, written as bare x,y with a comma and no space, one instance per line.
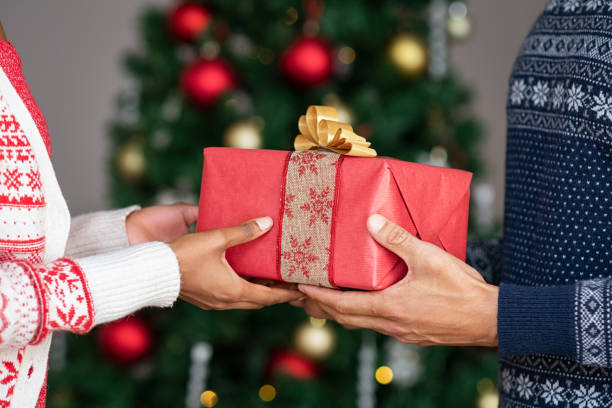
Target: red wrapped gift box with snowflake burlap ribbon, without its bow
320,202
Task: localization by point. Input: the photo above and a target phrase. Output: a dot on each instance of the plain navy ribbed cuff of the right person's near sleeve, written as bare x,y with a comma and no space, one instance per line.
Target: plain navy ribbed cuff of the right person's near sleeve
536,320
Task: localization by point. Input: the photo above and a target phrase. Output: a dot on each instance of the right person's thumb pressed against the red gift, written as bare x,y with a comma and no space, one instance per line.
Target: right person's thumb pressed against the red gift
392,236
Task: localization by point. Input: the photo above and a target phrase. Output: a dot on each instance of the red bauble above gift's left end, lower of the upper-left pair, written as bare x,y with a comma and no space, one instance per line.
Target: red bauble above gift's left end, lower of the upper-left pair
204,80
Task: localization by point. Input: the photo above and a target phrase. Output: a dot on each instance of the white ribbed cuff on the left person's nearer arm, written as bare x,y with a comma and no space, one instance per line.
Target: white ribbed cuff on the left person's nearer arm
124,281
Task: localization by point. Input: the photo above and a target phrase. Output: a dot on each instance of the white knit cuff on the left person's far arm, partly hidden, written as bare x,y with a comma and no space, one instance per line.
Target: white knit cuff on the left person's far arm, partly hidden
98,232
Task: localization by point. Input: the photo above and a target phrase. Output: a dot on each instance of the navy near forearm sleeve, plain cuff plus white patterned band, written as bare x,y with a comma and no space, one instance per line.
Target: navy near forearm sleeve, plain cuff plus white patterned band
571,320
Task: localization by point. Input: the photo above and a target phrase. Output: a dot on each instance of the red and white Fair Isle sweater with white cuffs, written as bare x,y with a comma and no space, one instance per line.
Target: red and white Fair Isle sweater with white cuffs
54,275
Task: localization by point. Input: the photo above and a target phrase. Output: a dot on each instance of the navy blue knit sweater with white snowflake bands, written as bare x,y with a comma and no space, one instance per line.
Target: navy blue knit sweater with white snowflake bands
555,301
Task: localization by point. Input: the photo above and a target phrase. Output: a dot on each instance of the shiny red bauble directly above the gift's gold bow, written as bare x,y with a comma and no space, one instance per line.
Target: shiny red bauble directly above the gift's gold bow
308,61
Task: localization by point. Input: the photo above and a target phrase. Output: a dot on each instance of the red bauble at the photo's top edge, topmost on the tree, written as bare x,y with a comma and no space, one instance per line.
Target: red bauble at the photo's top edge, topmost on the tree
189,20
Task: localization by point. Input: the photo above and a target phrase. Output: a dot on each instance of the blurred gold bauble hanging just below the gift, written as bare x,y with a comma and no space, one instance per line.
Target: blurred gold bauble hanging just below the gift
315,341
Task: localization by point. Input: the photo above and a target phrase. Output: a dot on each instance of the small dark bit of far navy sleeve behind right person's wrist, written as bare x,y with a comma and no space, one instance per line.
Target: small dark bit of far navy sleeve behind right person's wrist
485,255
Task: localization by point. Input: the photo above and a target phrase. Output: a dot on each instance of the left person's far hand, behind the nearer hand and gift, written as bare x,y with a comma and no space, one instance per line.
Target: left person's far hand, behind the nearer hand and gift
164,223
